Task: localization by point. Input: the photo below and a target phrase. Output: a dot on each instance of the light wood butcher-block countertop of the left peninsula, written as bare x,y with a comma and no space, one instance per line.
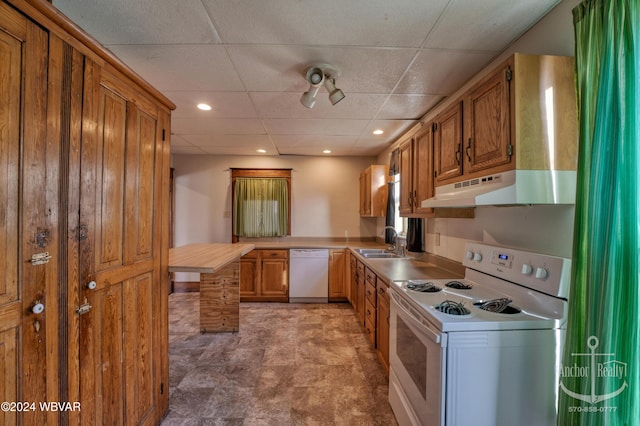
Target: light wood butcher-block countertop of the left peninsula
205,257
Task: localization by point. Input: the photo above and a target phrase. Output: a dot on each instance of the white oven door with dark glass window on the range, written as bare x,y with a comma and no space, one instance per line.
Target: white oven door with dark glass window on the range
417,357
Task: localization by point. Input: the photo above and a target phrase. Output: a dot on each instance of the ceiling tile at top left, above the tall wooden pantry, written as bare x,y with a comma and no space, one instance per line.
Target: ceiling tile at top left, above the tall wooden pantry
142,21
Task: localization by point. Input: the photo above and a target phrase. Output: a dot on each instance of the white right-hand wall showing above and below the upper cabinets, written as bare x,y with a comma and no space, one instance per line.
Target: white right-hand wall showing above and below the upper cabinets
546,229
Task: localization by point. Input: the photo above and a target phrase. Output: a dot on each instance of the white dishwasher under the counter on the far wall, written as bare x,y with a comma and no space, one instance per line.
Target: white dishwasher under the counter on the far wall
309,276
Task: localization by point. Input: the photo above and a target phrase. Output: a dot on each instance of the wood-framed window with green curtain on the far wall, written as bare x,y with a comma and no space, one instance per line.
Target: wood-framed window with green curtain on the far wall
261,203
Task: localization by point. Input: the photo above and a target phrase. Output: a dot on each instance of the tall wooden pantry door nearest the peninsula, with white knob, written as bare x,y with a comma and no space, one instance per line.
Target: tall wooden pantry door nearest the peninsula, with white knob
121,353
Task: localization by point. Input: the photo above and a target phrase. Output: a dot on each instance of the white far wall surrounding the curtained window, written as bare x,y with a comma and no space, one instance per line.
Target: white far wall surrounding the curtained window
325,196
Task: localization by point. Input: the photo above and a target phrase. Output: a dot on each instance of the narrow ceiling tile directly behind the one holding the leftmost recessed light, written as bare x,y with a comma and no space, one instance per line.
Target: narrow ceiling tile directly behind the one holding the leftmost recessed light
216,126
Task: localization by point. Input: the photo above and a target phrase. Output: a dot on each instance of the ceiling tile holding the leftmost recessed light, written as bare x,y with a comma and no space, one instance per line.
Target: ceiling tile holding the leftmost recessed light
223,104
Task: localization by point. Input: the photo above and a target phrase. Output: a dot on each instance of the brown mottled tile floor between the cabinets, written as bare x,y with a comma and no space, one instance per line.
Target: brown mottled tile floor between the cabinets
290,364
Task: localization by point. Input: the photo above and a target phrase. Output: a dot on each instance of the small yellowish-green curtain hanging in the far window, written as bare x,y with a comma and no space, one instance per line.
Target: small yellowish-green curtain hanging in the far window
260,207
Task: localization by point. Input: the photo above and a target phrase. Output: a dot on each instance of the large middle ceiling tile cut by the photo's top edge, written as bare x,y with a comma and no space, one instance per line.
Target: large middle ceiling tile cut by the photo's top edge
329,22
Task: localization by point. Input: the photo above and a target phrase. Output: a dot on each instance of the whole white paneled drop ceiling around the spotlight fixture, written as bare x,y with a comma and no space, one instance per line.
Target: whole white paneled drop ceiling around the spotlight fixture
247,59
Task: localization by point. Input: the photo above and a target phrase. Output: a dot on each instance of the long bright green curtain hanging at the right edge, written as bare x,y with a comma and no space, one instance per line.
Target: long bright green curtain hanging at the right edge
599,376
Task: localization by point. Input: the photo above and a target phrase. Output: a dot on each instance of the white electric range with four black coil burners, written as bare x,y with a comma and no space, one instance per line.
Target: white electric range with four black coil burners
483,350
